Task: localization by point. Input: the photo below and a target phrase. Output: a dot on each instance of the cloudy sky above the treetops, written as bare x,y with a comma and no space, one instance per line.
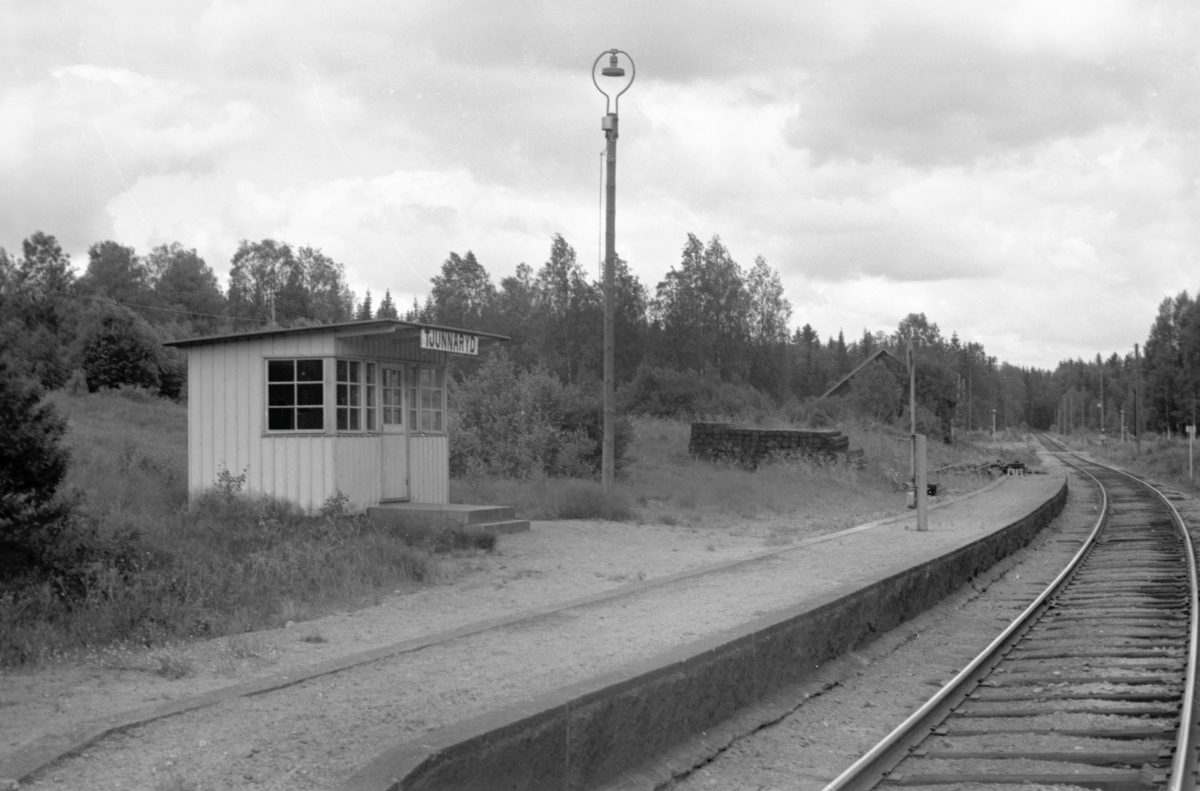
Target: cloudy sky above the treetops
1024,173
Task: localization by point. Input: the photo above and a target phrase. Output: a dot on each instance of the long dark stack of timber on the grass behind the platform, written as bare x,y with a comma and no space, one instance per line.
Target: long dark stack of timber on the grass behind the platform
749,447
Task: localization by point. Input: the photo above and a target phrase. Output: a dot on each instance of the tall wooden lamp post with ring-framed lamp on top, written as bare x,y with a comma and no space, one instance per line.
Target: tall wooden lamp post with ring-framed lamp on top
609,124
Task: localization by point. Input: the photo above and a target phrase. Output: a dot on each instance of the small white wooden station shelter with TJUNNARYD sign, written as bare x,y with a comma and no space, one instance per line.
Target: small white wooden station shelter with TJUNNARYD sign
358,409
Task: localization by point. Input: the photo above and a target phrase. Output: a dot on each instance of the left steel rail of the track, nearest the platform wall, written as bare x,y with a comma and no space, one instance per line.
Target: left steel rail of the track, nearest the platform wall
867,771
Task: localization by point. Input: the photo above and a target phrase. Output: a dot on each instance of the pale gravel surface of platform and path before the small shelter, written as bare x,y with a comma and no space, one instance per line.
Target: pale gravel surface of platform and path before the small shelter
315,734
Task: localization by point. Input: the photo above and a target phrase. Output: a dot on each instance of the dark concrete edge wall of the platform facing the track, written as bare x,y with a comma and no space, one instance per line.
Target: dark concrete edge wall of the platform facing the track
589,734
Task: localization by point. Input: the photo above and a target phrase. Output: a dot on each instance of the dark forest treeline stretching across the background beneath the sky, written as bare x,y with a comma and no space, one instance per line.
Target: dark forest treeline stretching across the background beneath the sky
710,337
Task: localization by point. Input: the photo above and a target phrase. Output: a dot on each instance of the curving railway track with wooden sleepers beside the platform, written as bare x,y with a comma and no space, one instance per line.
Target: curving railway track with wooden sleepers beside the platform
1091,687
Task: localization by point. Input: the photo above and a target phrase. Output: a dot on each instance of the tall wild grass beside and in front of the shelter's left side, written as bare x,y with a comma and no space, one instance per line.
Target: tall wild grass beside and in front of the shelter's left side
158,568
